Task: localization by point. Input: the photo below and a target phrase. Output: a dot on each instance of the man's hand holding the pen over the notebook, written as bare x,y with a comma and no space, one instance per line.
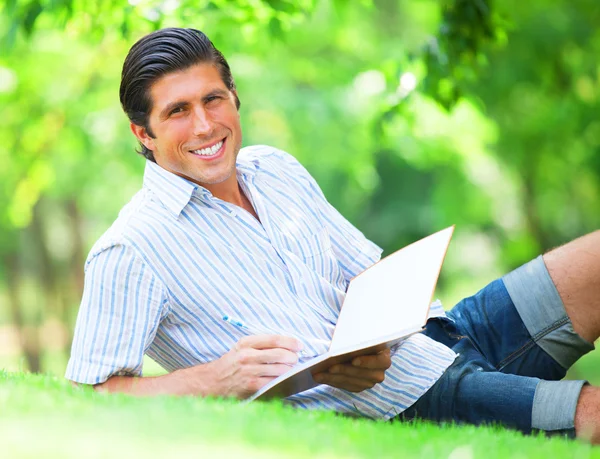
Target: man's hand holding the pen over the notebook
253,362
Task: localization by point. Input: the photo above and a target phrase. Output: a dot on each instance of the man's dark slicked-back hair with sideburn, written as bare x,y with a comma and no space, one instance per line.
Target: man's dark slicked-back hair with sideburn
159,53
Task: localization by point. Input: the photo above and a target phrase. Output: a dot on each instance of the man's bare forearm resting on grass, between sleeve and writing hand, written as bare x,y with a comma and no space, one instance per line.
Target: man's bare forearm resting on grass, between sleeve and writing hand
197,381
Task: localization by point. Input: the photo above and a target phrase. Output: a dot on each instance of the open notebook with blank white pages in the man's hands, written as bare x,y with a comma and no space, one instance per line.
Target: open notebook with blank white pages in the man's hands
383,306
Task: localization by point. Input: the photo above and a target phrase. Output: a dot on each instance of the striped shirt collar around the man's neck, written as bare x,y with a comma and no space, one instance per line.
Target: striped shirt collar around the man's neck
175,192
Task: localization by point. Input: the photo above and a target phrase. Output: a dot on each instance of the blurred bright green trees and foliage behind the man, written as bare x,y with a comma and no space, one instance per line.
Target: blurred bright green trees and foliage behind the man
412,114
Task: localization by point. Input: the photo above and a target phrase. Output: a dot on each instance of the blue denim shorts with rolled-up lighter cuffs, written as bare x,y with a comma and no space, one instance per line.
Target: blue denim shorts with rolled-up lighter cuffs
515,343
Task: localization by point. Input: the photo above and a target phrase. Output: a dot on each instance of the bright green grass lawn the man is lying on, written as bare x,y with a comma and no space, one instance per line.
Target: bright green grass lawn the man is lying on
43,416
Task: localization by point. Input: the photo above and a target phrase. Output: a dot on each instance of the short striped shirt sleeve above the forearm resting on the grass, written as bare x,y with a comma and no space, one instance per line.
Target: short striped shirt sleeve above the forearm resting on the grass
121,308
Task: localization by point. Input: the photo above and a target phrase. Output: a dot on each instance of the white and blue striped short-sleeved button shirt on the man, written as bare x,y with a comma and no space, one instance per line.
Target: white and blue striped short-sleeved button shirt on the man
177,260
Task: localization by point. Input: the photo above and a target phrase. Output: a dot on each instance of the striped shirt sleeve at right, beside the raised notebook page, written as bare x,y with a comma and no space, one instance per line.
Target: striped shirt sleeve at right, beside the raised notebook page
354,251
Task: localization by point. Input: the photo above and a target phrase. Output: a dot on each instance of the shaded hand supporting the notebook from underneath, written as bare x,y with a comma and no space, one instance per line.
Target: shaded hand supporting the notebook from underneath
361,373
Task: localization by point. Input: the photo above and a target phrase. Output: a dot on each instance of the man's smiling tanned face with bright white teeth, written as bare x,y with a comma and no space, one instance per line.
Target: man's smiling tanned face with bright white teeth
196,126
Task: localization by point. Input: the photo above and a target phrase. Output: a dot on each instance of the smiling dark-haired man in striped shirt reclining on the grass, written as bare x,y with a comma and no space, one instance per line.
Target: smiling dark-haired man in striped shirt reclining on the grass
217,232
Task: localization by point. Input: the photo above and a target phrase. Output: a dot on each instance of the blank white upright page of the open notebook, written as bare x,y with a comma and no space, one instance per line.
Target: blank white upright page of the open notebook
393,294
